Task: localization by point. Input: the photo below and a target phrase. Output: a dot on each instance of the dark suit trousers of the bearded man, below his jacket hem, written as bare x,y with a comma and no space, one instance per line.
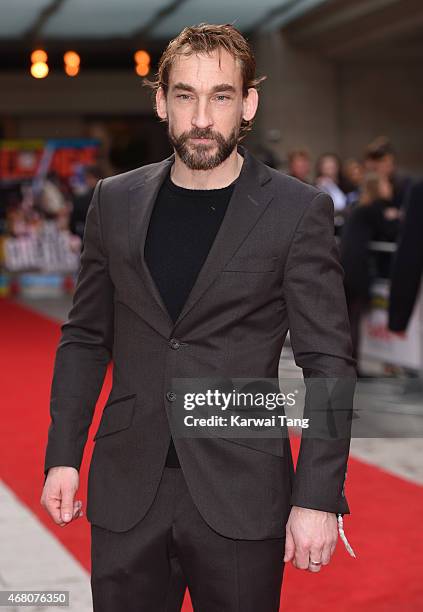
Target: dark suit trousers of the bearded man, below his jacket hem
148,567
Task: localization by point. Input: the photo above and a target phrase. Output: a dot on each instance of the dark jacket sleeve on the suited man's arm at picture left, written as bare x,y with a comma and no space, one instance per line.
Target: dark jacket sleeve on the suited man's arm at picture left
84,350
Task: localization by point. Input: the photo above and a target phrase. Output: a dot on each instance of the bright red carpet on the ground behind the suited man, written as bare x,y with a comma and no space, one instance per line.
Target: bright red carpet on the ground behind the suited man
385,528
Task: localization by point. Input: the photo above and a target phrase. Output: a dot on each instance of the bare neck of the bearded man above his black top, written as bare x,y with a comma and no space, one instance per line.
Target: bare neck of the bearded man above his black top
216,178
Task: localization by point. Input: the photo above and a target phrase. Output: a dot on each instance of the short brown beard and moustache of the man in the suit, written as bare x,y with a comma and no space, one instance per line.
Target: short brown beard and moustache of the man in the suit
197,156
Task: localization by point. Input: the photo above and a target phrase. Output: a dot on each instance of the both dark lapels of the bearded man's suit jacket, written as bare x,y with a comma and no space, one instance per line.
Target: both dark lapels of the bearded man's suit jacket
252,194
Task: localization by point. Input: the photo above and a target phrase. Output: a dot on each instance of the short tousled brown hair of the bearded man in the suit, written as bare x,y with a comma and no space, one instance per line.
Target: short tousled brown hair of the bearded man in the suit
206,38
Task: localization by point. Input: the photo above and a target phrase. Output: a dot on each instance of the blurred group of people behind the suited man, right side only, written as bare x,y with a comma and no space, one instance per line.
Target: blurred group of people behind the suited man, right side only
371,201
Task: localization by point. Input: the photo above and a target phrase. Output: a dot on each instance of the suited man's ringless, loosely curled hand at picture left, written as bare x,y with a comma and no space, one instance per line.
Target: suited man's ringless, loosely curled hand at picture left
58,495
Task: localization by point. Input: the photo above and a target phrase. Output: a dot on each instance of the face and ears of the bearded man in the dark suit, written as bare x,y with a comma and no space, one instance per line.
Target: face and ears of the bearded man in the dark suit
204,108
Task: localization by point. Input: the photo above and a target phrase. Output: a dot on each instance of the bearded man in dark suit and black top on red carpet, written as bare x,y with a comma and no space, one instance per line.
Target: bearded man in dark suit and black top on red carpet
195,267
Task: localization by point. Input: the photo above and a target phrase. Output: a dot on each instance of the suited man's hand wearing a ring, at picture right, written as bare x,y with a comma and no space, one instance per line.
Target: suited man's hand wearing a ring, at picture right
311,535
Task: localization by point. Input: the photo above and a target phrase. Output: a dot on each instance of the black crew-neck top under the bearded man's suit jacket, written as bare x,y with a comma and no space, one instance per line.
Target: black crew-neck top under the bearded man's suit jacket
182,229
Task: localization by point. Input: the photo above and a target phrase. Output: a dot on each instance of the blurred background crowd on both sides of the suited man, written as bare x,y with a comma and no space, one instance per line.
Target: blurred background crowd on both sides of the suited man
42,221
